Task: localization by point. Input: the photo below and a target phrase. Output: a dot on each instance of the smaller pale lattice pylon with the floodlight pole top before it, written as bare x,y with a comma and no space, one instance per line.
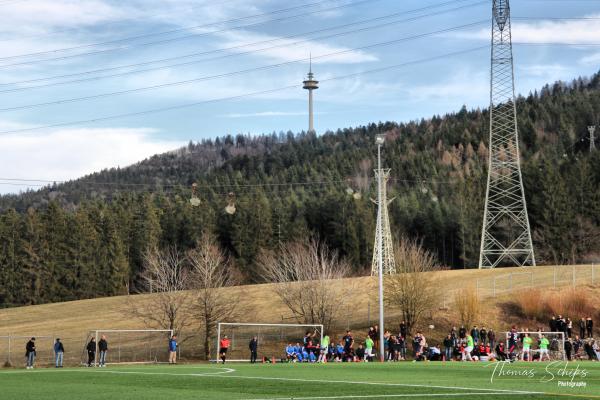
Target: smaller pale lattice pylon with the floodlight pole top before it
383,252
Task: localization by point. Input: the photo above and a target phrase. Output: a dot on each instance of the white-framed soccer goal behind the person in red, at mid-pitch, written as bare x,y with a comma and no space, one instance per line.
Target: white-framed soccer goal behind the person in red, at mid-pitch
272,339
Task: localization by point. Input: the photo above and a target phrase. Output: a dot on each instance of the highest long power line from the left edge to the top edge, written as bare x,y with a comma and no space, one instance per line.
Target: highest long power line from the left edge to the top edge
169,40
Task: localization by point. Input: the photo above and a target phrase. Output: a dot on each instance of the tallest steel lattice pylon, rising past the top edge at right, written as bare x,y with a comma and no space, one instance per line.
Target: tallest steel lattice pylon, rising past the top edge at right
506,234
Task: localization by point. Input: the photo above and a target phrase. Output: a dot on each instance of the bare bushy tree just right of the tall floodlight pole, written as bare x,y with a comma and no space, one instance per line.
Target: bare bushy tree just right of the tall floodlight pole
412,289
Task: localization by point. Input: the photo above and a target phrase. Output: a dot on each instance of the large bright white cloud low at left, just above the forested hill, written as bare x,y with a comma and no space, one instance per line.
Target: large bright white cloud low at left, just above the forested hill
71,153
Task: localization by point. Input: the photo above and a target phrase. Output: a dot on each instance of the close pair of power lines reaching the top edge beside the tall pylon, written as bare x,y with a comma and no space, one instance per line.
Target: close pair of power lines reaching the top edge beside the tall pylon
360,22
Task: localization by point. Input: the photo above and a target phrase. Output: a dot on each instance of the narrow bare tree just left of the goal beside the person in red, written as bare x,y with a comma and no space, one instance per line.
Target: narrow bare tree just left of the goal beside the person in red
210,274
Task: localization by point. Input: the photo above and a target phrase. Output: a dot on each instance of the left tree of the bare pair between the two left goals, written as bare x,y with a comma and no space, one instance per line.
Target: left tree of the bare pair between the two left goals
165,275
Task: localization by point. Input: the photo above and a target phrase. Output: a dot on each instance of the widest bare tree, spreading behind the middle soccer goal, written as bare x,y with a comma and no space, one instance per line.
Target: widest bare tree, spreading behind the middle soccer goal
304,271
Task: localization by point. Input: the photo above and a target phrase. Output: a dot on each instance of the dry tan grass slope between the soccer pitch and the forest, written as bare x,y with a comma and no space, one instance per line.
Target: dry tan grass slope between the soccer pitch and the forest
71,321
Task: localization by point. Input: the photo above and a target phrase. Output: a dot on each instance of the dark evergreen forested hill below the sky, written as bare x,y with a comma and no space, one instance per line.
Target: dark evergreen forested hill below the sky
86,238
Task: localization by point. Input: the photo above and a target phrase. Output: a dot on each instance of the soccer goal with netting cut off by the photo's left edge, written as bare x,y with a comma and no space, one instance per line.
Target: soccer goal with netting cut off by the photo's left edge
12,349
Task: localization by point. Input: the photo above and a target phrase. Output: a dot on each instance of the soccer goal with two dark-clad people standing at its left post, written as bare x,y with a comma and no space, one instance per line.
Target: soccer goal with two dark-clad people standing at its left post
130,346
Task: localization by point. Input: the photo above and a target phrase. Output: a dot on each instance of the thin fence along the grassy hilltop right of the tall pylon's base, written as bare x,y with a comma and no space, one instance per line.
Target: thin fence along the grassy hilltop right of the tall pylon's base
539,277
